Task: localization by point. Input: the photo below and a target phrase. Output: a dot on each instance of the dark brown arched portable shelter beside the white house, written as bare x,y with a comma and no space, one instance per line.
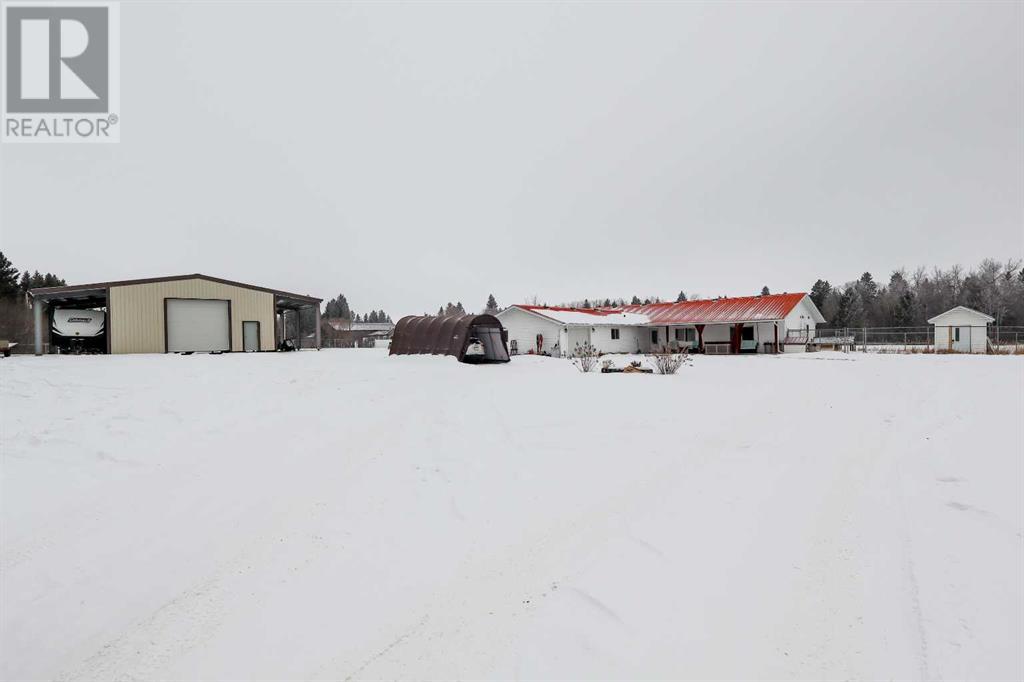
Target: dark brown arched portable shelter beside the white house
451,335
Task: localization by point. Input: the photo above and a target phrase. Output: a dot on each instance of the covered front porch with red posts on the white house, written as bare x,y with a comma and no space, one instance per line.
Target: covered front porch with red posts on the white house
719,339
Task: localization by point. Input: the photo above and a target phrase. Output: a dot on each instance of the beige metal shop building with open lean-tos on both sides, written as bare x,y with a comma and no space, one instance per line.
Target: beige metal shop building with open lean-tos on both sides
182,314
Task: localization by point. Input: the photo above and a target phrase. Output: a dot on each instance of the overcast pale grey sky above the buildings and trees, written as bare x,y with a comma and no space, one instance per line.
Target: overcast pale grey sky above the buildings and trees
412,155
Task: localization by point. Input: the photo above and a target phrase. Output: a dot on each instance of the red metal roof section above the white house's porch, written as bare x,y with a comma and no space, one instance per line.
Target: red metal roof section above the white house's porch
746,309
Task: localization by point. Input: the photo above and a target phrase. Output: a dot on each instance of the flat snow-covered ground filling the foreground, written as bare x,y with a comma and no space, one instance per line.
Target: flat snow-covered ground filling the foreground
346,515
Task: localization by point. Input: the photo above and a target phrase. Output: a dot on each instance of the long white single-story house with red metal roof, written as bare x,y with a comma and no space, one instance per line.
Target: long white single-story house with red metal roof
775,323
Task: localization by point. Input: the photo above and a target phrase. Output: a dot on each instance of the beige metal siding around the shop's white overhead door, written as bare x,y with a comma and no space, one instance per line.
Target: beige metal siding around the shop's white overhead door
138,313
